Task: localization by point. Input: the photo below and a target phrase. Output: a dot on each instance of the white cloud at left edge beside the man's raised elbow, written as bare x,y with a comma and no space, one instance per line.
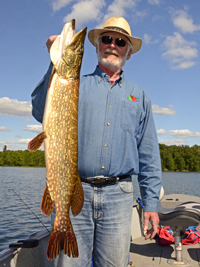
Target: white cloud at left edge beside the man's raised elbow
13,107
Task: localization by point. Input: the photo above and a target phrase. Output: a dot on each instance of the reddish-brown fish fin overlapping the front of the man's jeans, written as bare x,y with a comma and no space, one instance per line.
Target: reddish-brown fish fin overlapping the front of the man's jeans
77,198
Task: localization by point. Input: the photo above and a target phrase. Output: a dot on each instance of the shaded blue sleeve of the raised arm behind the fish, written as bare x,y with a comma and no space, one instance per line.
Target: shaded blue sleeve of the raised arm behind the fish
39,96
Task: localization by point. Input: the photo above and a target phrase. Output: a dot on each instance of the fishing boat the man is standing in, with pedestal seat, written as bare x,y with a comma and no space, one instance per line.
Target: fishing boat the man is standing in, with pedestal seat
178,211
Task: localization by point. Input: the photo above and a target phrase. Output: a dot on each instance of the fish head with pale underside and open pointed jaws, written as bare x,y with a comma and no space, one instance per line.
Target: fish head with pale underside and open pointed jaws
67,51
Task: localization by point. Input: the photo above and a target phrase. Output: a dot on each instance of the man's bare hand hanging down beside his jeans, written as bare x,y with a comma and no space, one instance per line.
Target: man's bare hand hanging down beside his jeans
150,216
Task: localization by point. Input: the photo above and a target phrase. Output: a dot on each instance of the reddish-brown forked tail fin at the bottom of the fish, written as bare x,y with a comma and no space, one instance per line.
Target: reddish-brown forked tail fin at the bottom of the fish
62,241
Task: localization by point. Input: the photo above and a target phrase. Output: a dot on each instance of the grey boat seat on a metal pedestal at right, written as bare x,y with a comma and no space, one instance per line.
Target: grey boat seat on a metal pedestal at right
179,219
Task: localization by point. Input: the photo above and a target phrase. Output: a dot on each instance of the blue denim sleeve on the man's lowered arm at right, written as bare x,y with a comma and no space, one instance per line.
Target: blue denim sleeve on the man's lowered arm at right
150,174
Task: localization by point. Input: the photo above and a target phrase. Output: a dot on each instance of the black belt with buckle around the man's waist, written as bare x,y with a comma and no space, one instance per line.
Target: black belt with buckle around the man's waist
99,180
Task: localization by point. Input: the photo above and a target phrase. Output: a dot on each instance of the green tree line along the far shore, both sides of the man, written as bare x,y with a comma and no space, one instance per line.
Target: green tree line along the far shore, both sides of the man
173,158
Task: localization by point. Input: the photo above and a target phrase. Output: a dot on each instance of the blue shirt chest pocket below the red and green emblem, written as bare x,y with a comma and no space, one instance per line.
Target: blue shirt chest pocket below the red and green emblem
129,120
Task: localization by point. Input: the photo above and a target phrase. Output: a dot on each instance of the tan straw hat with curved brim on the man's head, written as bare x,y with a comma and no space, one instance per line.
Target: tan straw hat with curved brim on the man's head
116,24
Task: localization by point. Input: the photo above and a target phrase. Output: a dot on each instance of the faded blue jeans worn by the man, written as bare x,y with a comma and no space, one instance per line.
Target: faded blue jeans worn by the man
103,227
